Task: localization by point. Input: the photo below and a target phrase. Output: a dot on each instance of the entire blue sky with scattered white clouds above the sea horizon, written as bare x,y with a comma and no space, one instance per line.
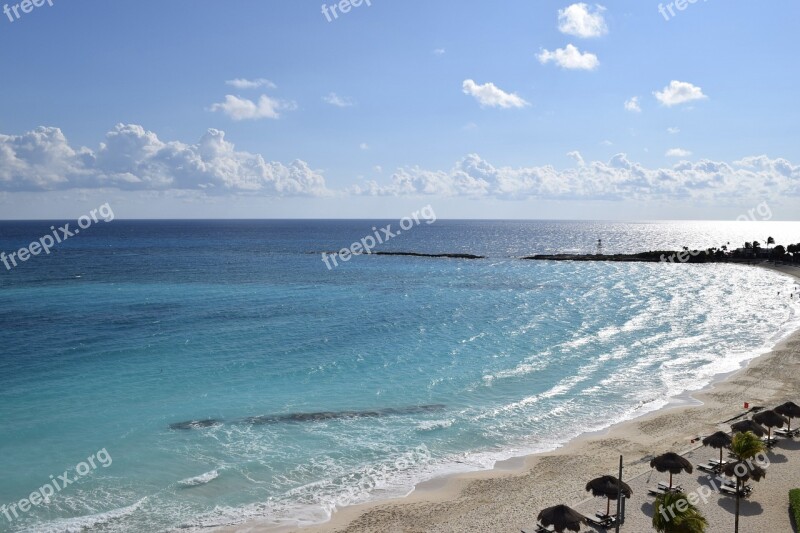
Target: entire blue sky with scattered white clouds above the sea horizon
530,109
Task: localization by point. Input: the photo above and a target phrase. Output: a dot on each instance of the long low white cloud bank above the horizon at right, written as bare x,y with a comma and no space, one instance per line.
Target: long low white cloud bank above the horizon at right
616,179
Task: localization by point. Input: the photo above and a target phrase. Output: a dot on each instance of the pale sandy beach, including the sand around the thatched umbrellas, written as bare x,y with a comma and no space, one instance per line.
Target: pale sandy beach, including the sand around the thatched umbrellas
509,497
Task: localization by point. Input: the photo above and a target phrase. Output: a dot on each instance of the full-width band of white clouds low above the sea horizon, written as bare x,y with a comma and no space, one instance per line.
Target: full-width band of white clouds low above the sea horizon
134,159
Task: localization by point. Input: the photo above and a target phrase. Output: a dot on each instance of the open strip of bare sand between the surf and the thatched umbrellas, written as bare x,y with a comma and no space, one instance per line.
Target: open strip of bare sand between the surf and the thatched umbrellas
496,499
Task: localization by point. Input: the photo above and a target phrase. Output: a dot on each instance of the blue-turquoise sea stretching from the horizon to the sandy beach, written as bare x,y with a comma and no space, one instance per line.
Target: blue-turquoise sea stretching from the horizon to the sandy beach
420,366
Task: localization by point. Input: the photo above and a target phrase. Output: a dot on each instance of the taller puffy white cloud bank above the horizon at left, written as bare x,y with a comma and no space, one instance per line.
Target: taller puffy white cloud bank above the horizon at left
132,158
